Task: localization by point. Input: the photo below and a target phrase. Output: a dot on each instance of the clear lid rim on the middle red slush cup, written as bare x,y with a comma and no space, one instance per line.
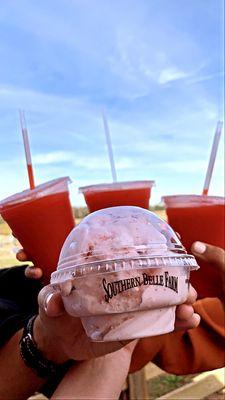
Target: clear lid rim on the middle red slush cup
126,185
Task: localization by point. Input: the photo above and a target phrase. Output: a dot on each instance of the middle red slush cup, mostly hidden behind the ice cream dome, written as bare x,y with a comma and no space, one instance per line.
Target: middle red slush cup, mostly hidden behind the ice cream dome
135,193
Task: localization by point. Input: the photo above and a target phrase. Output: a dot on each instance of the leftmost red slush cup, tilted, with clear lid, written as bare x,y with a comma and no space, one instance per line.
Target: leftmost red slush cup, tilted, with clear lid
41,219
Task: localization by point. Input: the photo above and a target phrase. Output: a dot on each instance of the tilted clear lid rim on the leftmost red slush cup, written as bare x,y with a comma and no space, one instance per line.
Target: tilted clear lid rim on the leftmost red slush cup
32,194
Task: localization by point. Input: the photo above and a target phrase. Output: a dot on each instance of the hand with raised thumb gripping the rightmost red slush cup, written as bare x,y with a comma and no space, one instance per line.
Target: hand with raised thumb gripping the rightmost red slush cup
213,255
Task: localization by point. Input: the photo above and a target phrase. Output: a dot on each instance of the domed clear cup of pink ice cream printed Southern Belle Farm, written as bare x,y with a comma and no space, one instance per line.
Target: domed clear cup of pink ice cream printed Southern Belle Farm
123,271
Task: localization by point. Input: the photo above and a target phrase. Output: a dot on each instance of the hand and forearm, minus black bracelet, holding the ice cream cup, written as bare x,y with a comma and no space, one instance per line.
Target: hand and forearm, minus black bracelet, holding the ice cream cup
59,337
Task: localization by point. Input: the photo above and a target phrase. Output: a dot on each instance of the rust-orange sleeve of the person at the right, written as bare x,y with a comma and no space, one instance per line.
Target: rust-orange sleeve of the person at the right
193,351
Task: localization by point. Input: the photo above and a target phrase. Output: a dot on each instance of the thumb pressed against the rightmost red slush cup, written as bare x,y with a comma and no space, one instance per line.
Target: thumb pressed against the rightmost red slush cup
209,253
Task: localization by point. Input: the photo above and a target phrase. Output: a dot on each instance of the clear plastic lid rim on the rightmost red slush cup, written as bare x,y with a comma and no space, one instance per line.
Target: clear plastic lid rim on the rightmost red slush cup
192,200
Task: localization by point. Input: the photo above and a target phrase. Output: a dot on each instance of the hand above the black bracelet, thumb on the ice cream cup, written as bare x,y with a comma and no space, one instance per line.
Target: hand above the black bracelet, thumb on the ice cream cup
60,336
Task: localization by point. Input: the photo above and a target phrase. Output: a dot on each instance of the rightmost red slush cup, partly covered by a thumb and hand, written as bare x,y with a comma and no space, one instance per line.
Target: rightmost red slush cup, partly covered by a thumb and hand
199,218
